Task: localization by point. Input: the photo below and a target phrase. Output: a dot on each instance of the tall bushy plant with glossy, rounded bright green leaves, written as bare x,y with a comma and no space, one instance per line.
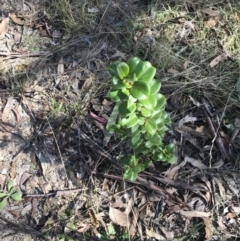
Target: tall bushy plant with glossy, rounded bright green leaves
142,119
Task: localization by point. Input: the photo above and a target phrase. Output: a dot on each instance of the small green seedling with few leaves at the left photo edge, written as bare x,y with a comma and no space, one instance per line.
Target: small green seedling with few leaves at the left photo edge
11,193
